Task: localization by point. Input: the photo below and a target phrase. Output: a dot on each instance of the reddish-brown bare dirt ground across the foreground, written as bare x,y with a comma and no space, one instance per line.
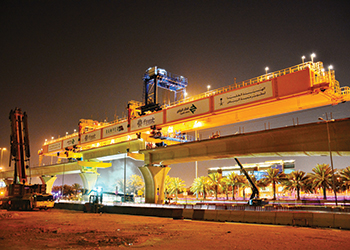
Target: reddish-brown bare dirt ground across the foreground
63,229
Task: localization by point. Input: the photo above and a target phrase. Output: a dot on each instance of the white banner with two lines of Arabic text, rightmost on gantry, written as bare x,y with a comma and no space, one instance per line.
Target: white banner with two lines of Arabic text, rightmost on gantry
242,96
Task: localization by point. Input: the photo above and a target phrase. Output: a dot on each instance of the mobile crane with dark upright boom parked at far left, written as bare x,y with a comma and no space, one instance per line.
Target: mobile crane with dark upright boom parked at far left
20,195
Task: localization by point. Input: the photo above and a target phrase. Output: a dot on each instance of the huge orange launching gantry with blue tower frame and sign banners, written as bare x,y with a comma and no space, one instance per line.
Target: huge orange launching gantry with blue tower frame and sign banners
304,86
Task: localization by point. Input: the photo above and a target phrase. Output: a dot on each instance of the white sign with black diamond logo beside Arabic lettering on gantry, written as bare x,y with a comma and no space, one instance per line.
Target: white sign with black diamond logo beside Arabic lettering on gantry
188,110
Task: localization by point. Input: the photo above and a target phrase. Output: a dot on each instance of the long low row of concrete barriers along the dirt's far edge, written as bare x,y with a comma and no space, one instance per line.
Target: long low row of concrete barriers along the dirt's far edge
300,218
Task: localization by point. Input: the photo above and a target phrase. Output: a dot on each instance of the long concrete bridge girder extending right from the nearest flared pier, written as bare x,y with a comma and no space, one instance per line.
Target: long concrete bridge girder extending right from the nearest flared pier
301,140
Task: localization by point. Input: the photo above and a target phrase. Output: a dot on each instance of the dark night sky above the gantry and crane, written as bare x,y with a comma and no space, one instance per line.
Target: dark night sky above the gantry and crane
62,61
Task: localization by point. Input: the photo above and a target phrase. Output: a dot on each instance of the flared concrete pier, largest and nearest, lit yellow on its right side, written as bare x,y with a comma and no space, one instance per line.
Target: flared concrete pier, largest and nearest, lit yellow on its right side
154,183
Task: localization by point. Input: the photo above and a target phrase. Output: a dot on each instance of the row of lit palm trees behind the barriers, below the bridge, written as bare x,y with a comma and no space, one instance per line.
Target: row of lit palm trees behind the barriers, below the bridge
320,179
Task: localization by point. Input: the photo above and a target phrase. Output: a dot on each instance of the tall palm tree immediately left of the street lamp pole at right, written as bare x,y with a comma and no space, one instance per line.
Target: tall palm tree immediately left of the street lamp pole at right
321,178
